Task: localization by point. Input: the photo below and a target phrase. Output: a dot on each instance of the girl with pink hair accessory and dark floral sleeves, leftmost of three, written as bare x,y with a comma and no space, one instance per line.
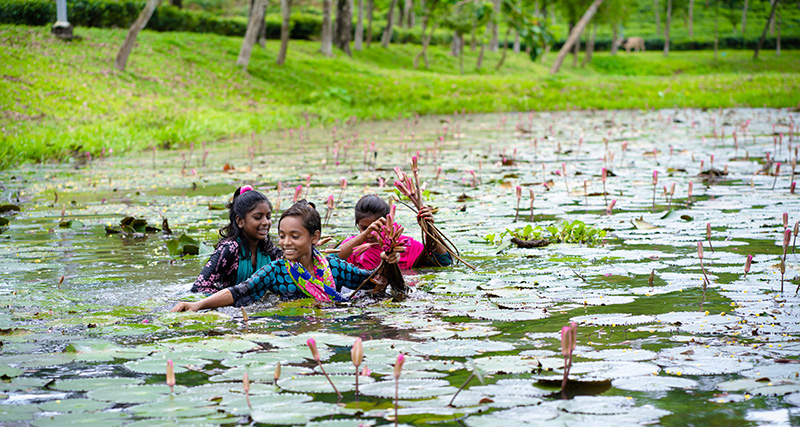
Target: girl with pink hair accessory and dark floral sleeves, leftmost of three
245,245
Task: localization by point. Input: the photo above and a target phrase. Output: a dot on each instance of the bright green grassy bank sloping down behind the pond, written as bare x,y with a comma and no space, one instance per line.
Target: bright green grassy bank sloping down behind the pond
61,99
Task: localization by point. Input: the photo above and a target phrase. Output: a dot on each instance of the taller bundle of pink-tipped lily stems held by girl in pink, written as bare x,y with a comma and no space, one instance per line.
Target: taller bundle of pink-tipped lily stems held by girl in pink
431,236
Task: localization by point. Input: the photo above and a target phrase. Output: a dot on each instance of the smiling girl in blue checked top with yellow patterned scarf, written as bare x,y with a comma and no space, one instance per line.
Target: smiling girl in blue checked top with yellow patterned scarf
303,272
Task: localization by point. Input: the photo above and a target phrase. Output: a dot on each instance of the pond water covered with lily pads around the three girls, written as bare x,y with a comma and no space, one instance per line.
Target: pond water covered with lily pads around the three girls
653,347
